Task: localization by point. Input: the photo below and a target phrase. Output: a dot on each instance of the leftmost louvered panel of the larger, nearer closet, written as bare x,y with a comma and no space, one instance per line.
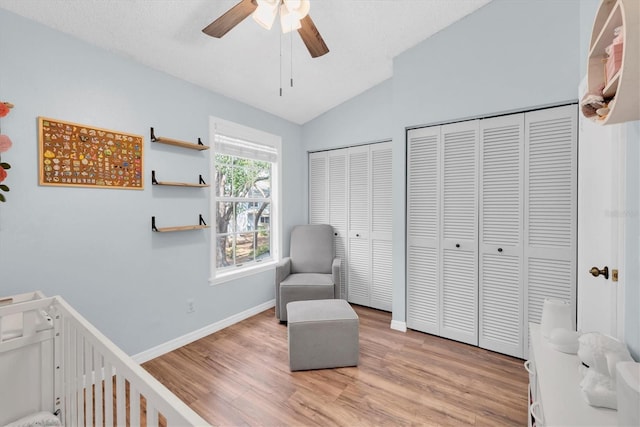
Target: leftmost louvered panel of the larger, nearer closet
423,230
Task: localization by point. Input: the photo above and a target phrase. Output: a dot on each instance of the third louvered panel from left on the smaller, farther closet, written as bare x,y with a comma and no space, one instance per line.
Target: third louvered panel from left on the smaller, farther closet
359,264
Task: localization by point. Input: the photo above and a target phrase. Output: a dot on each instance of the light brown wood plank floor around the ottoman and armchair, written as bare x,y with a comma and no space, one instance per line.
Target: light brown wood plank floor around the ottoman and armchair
240,377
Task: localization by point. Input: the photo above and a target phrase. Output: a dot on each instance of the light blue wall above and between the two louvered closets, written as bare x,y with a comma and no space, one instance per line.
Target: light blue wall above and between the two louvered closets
509,55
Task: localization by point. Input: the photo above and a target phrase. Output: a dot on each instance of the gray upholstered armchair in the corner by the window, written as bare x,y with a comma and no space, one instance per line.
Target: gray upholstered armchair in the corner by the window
312,271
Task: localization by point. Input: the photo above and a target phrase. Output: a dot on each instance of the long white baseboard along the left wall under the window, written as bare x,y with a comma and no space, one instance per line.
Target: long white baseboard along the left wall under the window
161,349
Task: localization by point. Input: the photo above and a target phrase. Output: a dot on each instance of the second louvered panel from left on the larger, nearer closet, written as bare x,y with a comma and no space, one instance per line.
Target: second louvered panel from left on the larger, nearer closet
459,244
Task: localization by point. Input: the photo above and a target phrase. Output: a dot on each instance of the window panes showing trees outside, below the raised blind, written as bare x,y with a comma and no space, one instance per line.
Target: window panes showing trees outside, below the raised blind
243,202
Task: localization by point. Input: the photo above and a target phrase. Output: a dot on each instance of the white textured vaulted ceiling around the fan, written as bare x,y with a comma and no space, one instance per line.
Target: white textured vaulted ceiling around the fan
247,64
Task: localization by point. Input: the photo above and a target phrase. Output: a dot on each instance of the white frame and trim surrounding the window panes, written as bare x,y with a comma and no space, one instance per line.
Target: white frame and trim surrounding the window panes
235,130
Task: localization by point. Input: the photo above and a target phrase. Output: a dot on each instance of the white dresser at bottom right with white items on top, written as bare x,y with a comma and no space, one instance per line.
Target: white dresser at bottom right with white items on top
554,393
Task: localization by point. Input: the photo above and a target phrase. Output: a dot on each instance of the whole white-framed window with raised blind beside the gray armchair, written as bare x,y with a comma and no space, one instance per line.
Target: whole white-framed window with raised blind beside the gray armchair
244,200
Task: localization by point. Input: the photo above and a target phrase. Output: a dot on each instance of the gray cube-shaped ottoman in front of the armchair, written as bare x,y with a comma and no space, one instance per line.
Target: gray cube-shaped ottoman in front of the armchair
322,334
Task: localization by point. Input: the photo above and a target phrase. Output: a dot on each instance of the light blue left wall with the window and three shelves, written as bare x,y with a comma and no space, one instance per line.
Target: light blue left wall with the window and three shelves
94,246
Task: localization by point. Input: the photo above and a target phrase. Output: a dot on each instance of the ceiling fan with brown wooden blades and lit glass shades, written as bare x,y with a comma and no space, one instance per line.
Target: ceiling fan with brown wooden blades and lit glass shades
294,15
